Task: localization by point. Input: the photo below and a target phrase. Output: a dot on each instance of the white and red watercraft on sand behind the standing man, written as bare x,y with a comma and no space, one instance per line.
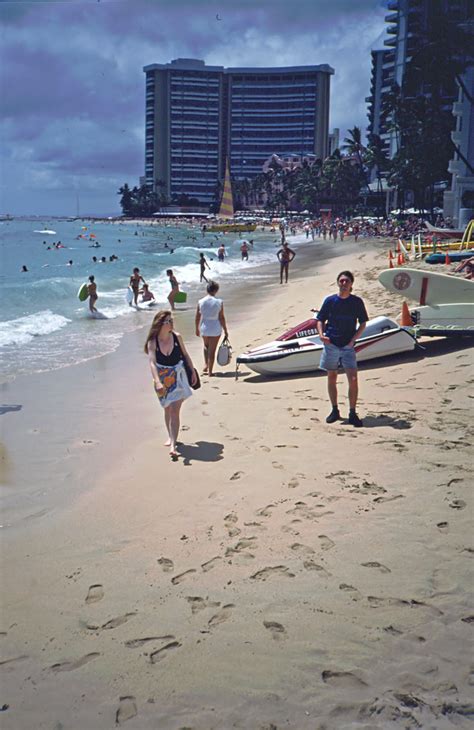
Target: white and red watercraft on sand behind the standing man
301,354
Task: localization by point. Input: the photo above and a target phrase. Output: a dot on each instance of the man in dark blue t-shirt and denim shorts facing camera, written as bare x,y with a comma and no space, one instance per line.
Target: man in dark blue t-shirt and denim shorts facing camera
337,327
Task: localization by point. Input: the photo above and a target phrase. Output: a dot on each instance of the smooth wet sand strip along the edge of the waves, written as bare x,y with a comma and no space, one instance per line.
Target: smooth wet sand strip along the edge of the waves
48,411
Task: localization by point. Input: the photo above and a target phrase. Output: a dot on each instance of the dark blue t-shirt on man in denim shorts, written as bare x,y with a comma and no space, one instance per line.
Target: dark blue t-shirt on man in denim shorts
341,316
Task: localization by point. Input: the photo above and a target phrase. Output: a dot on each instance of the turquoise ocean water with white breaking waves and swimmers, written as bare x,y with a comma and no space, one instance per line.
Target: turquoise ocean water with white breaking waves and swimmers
43,324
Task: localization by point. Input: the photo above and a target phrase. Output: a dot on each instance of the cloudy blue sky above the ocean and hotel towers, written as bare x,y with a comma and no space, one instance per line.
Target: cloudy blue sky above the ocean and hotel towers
72,81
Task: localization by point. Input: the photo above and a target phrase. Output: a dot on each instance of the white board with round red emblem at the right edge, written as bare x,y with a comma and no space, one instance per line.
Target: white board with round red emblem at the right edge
427,288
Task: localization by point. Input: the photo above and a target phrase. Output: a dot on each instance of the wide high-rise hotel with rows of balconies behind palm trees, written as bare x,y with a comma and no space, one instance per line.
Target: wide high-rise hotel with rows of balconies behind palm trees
197,116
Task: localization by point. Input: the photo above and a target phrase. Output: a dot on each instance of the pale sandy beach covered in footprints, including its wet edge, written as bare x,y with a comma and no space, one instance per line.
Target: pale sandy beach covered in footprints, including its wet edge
282,574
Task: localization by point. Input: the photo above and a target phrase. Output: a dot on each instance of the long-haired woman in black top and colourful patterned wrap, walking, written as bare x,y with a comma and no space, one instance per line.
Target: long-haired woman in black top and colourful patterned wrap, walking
167,356
